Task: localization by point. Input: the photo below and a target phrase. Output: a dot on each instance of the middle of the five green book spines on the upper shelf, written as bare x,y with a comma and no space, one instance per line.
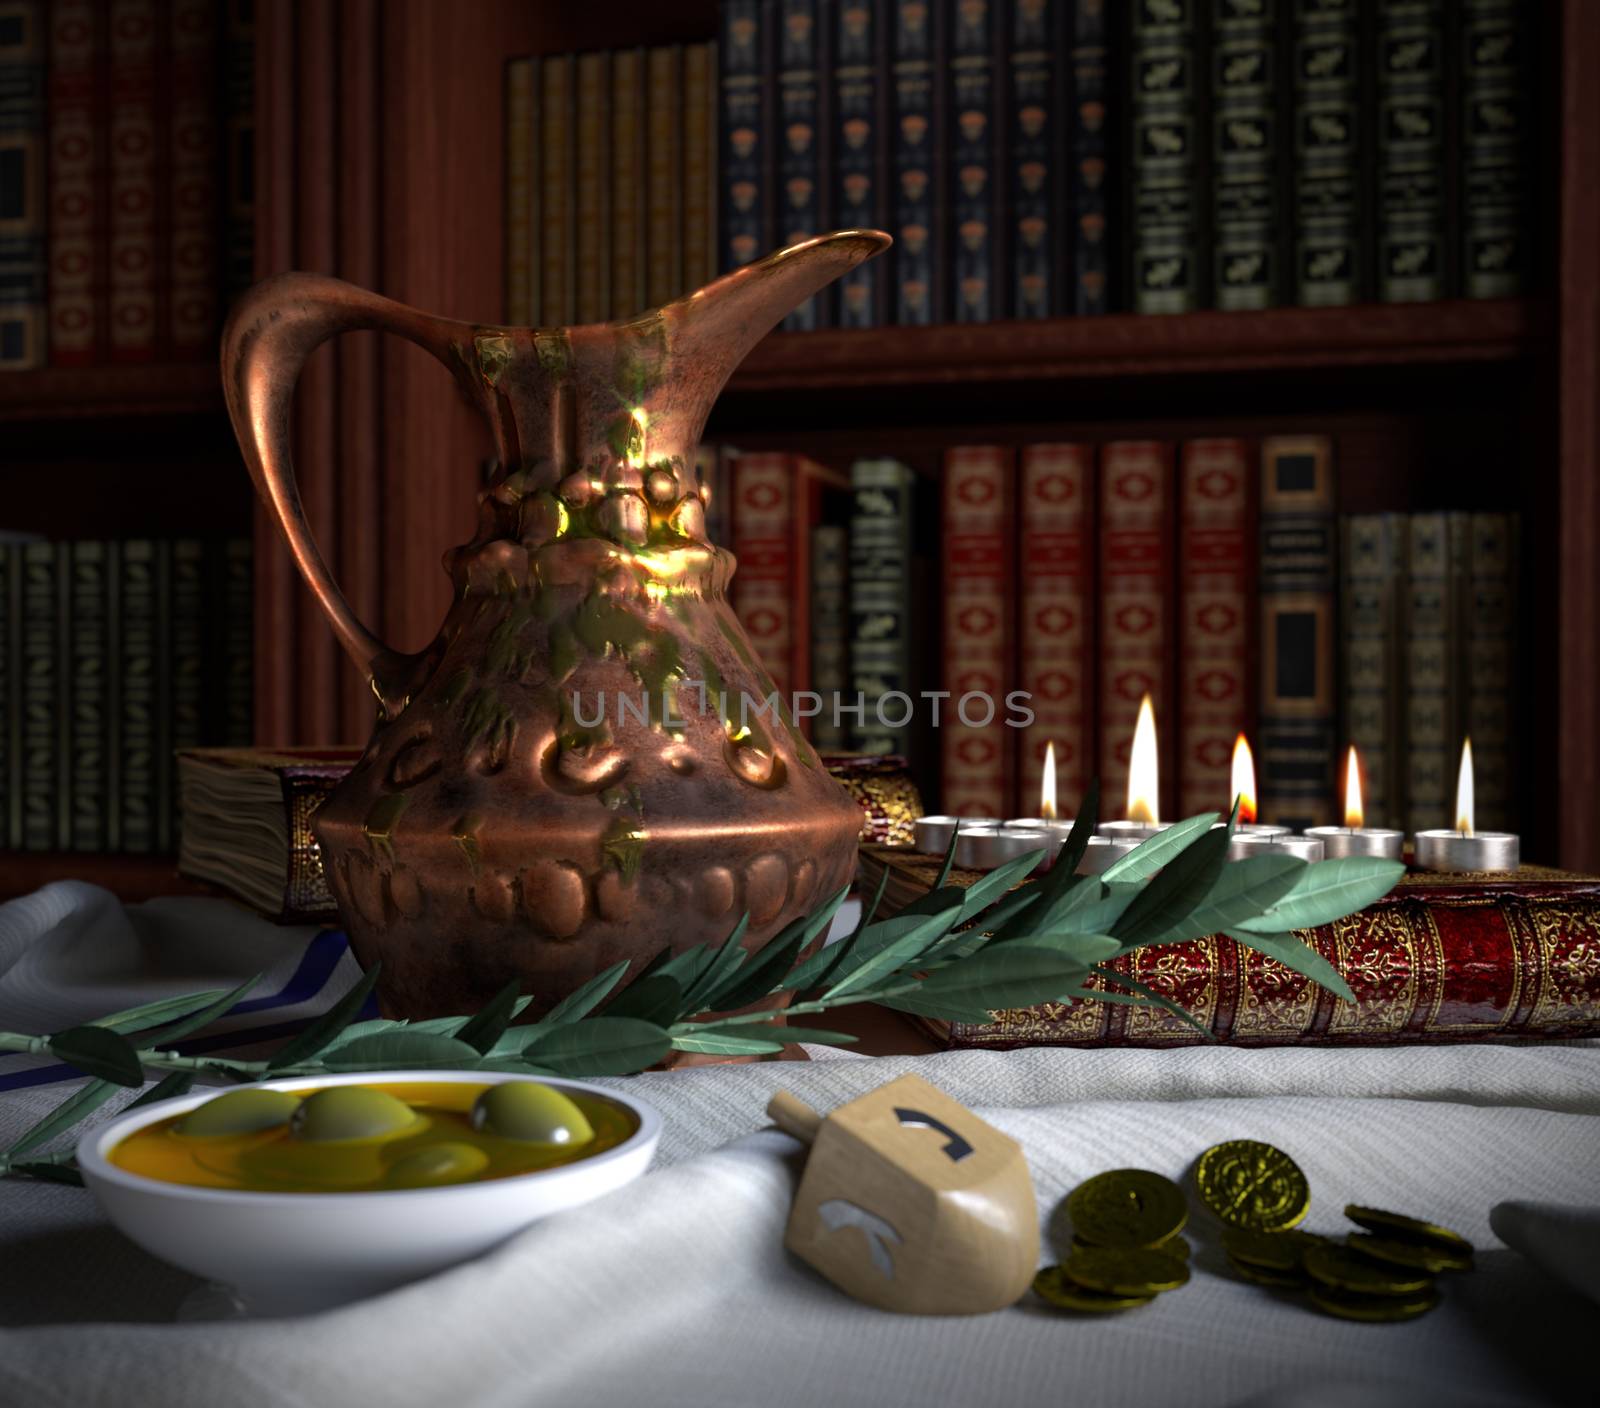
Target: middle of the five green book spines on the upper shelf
1327,190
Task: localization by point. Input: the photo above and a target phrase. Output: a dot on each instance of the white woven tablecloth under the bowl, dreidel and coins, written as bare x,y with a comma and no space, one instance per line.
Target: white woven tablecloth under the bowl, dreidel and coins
678,1292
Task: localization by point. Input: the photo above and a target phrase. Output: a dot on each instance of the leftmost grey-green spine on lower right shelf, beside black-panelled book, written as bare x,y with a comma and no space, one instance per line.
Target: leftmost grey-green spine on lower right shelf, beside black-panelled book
1374,554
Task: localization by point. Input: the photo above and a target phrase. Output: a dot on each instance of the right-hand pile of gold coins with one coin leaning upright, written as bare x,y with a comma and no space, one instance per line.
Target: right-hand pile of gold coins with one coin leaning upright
1382,1274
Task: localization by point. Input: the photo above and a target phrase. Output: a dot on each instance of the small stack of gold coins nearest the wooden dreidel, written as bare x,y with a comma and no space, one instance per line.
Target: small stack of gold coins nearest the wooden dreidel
1124,1247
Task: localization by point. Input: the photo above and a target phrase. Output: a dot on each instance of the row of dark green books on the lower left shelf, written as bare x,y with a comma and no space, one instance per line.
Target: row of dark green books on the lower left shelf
113,655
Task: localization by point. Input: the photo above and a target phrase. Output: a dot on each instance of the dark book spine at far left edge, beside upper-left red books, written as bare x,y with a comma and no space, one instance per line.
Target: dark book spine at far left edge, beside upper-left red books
23,222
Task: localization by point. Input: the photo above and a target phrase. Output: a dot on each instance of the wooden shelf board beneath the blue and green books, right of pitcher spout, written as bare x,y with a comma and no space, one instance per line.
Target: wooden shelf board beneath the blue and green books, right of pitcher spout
1124,346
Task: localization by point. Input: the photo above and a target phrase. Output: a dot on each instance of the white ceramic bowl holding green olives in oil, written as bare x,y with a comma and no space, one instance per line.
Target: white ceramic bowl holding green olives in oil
294,1254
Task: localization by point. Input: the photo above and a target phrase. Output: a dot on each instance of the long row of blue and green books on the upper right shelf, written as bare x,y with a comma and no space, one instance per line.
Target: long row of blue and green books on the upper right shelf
1049,158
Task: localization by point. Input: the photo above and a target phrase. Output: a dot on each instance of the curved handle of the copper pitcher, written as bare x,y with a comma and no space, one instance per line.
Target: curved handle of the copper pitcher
271,334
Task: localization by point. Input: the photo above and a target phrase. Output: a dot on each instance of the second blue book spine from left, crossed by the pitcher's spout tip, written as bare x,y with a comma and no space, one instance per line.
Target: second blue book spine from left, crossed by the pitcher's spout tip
801,127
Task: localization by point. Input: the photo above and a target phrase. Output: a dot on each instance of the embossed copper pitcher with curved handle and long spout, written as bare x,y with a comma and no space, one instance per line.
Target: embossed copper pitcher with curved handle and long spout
553,783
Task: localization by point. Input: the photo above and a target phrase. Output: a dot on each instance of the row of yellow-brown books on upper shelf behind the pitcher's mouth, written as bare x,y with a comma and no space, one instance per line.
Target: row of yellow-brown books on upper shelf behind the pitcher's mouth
609,182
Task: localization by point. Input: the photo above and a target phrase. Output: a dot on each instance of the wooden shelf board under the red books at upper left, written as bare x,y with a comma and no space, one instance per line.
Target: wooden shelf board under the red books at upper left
134,390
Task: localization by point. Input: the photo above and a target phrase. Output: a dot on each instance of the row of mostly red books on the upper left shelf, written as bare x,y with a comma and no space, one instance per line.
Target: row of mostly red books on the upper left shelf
127,177
